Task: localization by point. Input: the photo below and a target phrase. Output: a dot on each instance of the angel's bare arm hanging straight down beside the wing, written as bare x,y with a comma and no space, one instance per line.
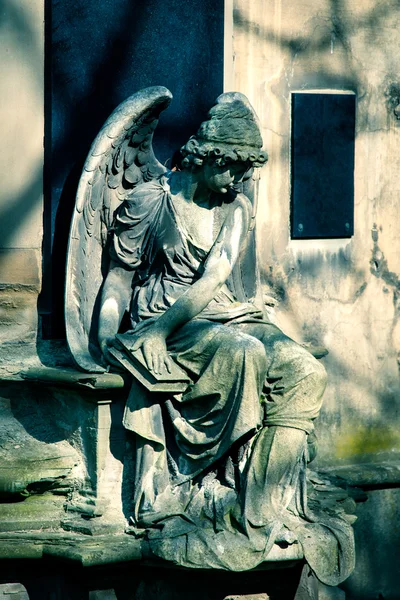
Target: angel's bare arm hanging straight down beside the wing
115,298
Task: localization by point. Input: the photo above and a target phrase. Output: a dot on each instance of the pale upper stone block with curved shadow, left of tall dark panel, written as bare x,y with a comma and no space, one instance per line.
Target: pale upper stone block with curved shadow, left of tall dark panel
21,124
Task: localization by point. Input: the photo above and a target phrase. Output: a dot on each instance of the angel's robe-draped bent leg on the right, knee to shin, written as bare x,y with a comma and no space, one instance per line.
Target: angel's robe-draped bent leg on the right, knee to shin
294,386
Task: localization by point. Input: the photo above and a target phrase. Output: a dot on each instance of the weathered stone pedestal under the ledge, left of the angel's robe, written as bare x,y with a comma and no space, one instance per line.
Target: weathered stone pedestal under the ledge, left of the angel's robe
65,450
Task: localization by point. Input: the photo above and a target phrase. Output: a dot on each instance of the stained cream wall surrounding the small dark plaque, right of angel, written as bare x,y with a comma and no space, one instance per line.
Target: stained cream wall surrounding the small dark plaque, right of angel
343,294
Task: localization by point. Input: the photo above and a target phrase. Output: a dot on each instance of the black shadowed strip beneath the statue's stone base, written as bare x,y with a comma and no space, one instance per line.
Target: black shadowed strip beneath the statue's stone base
51,579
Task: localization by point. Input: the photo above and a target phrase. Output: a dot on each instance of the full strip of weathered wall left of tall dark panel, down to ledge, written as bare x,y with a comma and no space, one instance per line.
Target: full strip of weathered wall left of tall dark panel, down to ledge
21,166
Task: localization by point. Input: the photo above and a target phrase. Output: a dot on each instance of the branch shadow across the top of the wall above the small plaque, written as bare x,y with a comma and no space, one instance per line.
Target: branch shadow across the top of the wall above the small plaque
334,28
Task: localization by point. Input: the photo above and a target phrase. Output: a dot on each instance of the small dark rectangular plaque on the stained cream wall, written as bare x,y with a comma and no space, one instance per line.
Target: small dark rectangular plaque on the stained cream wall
322,203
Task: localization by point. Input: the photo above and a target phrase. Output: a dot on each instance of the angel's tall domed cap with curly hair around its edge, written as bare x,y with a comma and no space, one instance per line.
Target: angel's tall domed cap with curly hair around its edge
230,134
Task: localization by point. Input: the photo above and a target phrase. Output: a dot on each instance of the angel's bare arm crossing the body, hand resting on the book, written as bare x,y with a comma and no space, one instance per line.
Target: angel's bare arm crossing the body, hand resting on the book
218,267
